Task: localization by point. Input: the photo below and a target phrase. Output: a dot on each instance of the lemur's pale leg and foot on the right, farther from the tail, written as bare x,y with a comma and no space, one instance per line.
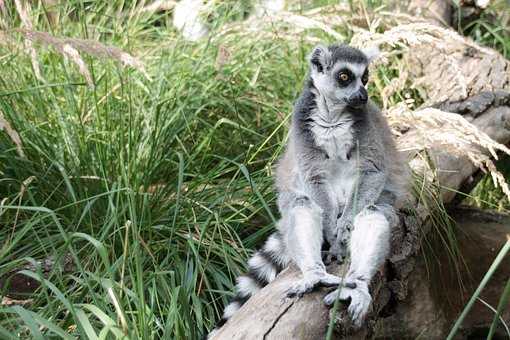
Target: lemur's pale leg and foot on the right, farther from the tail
369,248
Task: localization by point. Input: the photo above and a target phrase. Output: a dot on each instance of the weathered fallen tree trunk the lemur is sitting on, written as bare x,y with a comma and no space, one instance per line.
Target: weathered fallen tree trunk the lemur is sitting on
404,304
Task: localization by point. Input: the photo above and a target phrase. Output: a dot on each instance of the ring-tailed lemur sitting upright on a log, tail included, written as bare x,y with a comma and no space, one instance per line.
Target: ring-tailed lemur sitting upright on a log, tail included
339,182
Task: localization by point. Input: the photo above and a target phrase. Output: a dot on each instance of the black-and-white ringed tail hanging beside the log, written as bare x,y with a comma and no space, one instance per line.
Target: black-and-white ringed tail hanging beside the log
263,267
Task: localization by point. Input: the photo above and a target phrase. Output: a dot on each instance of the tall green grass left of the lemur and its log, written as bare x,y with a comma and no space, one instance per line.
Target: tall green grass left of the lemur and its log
156,188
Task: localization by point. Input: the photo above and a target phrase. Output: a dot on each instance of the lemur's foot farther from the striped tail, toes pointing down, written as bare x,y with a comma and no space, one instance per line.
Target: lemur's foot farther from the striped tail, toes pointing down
356,292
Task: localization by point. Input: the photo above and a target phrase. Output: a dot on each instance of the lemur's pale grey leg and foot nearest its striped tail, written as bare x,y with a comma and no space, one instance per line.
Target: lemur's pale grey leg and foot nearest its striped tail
303,240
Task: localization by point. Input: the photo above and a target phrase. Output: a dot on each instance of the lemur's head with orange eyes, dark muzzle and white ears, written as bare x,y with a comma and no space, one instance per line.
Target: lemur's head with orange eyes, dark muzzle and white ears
340,73
